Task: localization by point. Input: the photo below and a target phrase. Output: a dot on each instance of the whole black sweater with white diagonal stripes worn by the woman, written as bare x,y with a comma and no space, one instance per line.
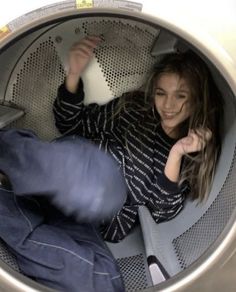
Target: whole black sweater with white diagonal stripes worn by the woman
137,143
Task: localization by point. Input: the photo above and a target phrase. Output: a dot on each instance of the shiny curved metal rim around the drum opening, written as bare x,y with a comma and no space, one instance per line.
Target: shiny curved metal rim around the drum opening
223,250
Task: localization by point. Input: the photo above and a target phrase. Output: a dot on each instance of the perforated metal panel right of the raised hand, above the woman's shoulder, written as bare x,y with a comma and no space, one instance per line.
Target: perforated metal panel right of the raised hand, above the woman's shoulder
125,55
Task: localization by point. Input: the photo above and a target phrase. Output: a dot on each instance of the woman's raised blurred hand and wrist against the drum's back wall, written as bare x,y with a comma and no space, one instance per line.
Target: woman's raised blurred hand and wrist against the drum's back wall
79,56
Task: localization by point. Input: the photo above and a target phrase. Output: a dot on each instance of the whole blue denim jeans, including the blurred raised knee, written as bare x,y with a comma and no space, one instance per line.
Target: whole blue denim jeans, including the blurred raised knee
78,179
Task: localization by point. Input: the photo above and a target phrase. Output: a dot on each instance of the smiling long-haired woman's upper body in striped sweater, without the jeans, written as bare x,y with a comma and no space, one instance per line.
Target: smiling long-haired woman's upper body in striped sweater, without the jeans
165,140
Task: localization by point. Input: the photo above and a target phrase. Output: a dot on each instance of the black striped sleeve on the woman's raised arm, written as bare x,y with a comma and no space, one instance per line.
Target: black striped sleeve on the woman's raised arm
73,117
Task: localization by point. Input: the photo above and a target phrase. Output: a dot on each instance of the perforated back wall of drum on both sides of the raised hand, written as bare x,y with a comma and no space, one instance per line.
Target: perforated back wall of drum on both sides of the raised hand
123,58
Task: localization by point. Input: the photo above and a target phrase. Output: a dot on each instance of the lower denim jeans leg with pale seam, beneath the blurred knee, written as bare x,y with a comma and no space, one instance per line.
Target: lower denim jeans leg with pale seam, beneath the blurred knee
53,249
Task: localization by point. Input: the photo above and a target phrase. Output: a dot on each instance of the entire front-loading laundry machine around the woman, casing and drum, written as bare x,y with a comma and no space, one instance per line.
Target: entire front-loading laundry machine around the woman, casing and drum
196,248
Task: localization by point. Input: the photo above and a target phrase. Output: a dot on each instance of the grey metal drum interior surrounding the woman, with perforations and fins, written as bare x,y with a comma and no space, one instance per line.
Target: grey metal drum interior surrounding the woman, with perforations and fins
33,66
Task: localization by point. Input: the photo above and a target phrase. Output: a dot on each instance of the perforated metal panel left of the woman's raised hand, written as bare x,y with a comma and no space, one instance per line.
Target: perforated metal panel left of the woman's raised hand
35,87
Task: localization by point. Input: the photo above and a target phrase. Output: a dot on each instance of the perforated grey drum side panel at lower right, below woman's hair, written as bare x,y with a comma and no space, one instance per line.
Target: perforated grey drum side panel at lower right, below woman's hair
191,244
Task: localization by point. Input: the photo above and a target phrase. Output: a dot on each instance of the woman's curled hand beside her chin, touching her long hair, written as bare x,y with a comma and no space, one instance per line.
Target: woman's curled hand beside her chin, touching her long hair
194,142
